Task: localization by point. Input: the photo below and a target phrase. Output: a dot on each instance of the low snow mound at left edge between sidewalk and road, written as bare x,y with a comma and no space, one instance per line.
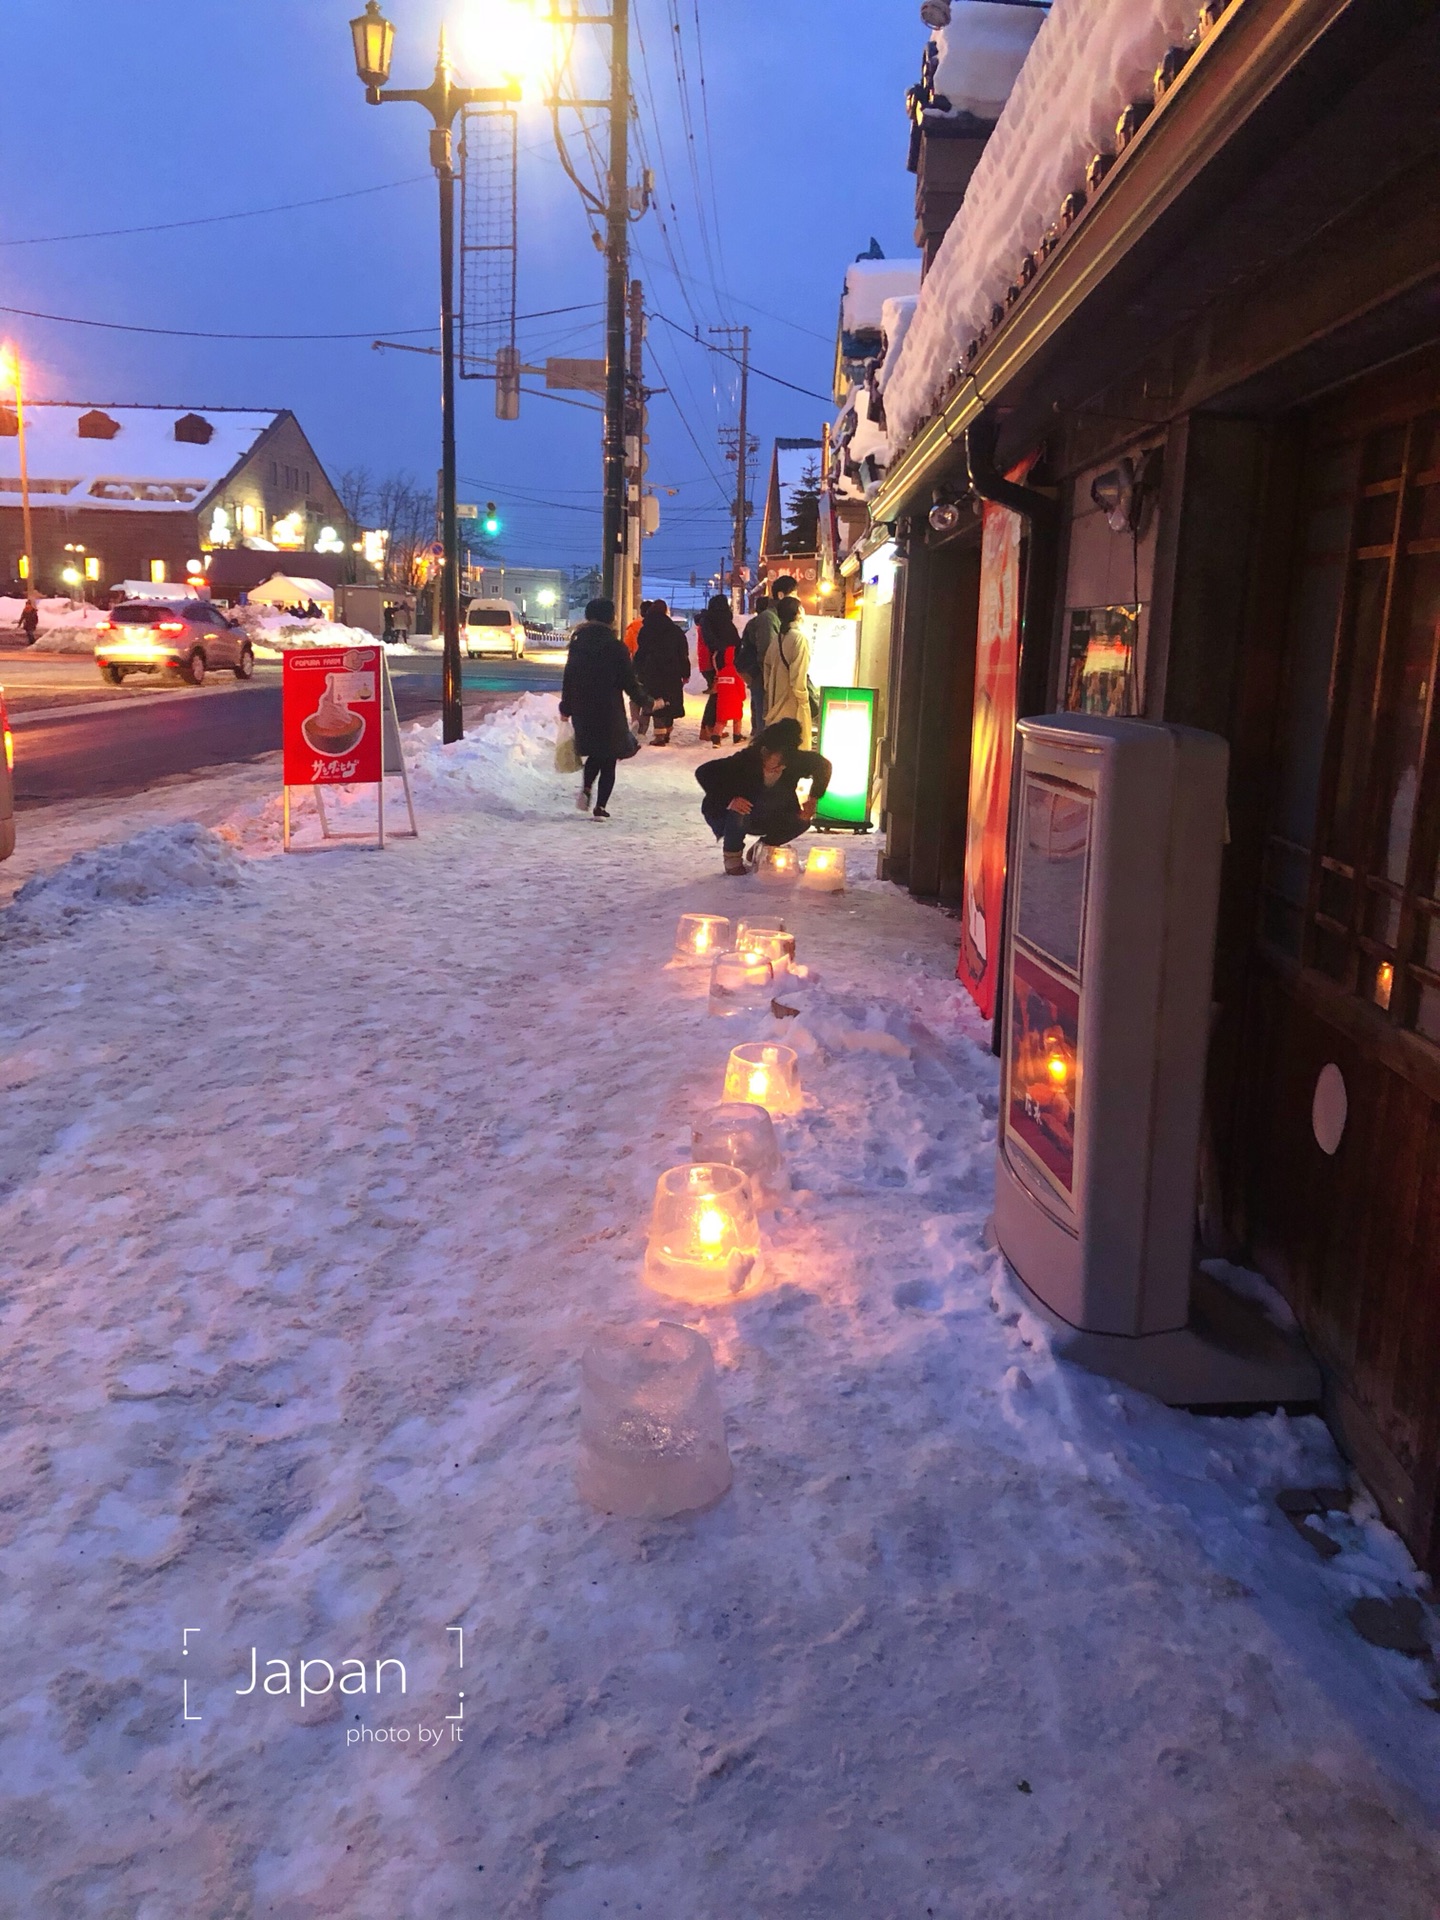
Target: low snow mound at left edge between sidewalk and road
156,867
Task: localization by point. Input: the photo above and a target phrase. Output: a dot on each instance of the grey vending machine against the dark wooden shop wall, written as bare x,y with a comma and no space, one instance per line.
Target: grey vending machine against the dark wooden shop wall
1115,892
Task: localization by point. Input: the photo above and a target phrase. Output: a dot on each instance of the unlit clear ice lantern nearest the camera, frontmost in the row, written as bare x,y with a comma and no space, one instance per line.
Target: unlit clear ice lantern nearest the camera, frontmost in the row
652,1429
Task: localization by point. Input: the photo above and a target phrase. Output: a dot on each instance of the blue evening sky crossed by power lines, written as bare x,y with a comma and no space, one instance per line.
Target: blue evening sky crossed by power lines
133,114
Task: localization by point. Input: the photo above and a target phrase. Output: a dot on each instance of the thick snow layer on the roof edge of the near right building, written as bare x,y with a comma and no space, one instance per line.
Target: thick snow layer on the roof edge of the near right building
1092,59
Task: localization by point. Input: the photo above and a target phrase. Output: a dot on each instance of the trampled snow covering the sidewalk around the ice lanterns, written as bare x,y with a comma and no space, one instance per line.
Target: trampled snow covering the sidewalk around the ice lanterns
314,1178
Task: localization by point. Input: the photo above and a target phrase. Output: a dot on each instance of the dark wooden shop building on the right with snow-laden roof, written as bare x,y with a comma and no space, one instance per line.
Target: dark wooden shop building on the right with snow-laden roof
1164,444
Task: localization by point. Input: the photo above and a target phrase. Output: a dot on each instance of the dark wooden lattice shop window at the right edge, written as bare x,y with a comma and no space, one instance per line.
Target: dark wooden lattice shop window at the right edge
1353,871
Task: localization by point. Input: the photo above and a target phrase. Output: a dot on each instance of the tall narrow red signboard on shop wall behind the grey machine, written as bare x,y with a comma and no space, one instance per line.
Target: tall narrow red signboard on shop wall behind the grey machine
994,731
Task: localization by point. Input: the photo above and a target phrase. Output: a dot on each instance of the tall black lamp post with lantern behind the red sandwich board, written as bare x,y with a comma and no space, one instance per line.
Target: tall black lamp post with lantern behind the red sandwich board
375,41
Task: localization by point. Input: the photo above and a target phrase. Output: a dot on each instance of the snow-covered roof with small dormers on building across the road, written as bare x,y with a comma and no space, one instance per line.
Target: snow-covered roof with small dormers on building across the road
130,458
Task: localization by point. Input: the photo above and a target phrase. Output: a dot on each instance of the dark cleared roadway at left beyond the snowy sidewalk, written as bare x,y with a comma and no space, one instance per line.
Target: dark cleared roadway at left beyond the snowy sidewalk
78,738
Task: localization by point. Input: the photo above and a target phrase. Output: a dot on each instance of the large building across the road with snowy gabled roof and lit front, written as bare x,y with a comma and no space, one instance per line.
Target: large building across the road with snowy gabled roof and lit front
124,492
